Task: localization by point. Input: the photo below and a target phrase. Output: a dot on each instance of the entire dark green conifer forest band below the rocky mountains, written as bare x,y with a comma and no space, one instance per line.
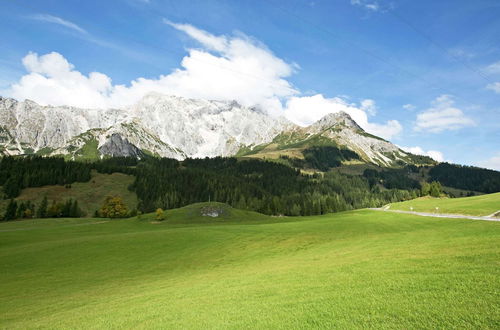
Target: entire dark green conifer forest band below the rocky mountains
264,186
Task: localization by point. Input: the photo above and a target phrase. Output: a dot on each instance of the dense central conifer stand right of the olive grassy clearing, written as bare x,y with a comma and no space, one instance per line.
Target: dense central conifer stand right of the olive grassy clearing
263,186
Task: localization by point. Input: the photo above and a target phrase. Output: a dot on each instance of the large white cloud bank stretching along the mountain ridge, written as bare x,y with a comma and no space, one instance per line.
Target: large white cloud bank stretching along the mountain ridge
224,68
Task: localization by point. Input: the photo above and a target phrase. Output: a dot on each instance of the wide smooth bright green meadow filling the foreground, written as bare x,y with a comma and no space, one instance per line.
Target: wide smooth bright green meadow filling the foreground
358,269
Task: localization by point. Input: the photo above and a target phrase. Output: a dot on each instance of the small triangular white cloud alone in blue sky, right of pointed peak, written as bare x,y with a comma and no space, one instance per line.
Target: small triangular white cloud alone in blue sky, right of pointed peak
441,116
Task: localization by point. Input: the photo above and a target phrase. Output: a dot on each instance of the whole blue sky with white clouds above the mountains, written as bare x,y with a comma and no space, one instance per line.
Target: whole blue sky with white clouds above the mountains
423,74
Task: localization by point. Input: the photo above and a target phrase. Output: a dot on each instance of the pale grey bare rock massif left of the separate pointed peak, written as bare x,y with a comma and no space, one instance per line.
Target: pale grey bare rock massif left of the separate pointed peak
166,126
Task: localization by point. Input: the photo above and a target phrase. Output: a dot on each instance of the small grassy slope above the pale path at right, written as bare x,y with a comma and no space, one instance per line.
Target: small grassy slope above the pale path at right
477,205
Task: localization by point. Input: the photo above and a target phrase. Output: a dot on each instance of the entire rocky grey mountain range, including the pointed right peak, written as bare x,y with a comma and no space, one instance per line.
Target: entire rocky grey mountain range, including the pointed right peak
179,128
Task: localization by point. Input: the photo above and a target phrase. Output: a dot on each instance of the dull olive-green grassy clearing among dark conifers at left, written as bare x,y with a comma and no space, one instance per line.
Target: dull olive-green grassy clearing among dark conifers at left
90,195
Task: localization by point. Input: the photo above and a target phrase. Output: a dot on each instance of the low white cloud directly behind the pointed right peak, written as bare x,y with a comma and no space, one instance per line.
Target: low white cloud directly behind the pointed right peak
306,110
